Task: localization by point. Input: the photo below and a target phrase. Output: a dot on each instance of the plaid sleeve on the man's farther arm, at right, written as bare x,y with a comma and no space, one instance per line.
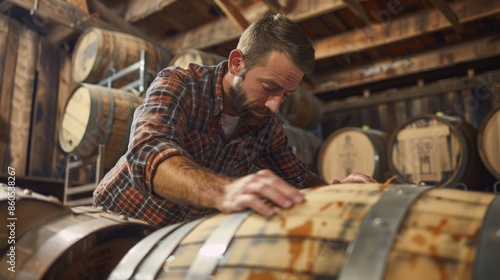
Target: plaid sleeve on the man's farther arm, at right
280,158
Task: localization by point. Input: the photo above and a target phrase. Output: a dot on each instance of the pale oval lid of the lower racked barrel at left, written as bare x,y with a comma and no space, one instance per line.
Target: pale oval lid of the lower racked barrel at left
75,119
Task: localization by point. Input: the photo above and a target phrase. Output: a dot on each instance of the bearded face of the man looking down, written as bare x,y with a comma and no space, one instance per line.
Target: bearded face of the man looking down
259,92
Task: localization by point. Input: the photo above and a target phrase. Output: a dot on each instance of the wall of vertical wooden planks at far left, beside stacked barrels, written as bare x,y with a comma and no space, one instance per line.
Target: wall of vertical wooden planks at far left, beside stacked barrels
35,83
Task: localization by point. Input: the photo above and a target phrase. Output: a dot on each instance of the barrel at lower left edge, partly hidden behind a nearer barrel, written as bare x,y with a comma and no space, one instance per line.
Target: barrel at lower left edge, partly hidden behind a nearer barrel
27,210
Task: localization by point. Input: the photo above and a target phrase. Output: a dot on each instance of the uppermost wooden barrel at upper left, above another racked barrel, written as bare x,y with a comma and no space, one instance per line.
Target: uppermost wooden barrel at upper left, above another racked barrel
99,52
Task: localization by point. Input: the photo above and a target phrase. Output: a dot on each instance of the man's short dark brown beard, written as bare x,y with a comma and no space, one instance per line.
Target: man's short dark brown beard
249,111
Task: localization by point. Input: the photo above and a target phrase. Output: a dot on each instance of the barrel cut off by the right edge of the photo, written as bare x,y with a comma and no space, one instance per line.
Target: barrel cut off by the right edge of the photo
489,142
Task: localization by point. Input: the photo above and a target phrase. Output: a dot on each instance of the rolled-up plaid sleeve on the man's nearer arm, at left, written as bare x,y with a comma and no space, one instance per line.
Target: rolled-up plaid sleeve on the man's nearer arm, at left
158,127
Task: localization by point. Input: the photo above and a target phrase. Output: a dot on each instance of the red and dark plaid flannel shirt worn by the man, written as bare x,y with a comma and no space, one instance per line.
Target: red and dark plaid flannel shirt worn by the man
181,115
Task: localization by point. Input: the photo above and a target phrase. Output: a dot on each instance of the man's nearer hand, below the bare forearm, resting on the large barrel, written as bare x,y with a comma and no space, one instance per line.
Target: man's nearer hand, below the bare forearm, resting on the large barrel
253,190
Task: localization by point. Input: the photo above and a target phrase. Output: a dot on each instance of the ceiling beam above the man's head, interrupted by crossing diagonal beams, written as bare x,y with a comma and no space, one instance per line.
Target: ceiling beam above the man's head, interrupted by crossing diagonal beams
222,30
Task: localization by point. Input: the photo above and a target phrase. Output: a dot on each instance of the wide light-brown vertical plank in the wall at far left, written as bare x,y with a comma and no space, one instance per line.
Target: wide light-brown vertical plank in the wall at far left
24,85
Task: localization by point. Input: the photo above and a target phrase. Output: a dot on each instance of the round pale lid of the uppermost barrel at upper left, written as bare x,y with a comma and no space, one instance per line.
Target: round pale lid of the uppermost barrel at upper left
85,54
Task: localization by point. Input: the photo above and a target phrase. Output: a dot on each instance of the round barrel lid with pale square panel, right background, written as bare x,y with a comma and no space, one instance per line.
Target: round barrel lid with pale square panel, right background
428,148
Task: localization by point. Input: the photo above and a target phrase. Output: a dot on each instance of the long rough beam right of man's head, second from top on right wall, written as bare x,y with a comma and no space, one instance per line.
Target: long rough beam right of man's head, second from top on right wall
388,69
